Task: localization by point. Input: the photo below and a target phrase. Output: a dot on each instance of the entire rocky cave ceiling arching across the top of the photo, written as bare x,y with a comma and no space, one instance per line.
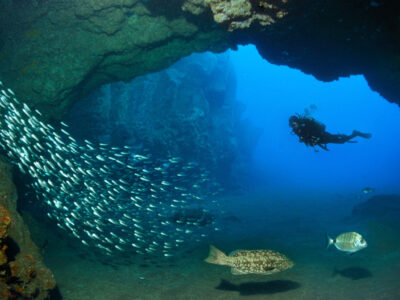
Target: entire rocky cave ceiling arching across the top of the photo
55,52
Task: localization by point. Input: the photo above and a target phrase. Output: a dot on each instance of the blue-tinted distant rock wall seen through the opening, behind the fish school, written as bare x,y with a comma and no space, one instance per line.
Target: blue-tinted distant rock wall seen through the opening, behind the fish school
188,110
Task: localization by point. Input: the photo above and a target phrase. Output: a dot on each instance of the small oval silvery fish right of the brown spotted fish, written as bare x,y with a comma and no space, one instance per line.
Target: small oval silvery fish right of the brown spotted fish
349,242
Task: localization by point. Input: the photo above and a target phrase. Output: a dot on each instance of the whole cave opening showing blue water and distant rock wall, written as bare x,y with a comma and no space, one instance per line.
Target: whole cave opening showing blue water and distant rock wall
230,112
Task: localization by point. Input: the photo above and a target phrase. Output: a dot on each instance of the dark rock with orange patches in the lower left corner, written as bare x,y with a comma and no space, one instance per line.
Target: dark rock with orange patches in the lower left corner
23,274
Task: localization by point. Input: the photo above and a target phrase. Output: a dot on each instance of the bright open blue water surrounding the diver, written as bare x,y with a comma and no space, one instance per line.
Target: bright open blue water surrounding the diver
273,93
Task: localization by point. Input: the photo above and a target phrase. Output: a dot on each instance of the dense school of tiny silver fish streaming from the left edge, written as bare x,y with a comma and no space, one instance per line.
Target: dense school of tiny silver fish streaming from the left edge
108,197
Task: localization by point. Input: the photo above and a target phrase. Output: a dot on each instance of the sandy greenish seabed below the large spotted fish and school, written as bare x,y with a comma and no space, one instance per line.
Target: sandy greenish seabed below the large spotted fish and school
260,222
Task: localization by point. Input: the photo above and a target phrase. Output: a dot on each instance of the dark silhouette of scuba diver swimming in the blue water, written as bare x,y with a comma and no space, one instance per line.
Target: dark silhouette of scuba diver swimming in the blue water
313,133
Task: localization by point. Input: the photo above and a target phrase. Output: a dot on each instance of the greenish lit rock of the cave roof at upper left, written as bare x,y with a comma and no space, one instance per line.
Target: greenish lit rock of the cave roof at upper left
59,51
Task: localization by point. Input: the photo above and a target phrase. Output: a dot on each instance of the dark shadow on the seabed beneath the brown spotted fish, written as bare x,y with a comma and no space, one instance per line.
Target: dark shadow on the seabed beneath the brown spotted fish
259,288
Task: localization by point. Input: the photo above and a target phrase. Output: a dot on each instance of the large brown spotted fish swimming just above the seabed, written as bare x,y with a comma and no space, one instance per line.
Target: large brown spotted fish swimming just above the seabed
262,262
